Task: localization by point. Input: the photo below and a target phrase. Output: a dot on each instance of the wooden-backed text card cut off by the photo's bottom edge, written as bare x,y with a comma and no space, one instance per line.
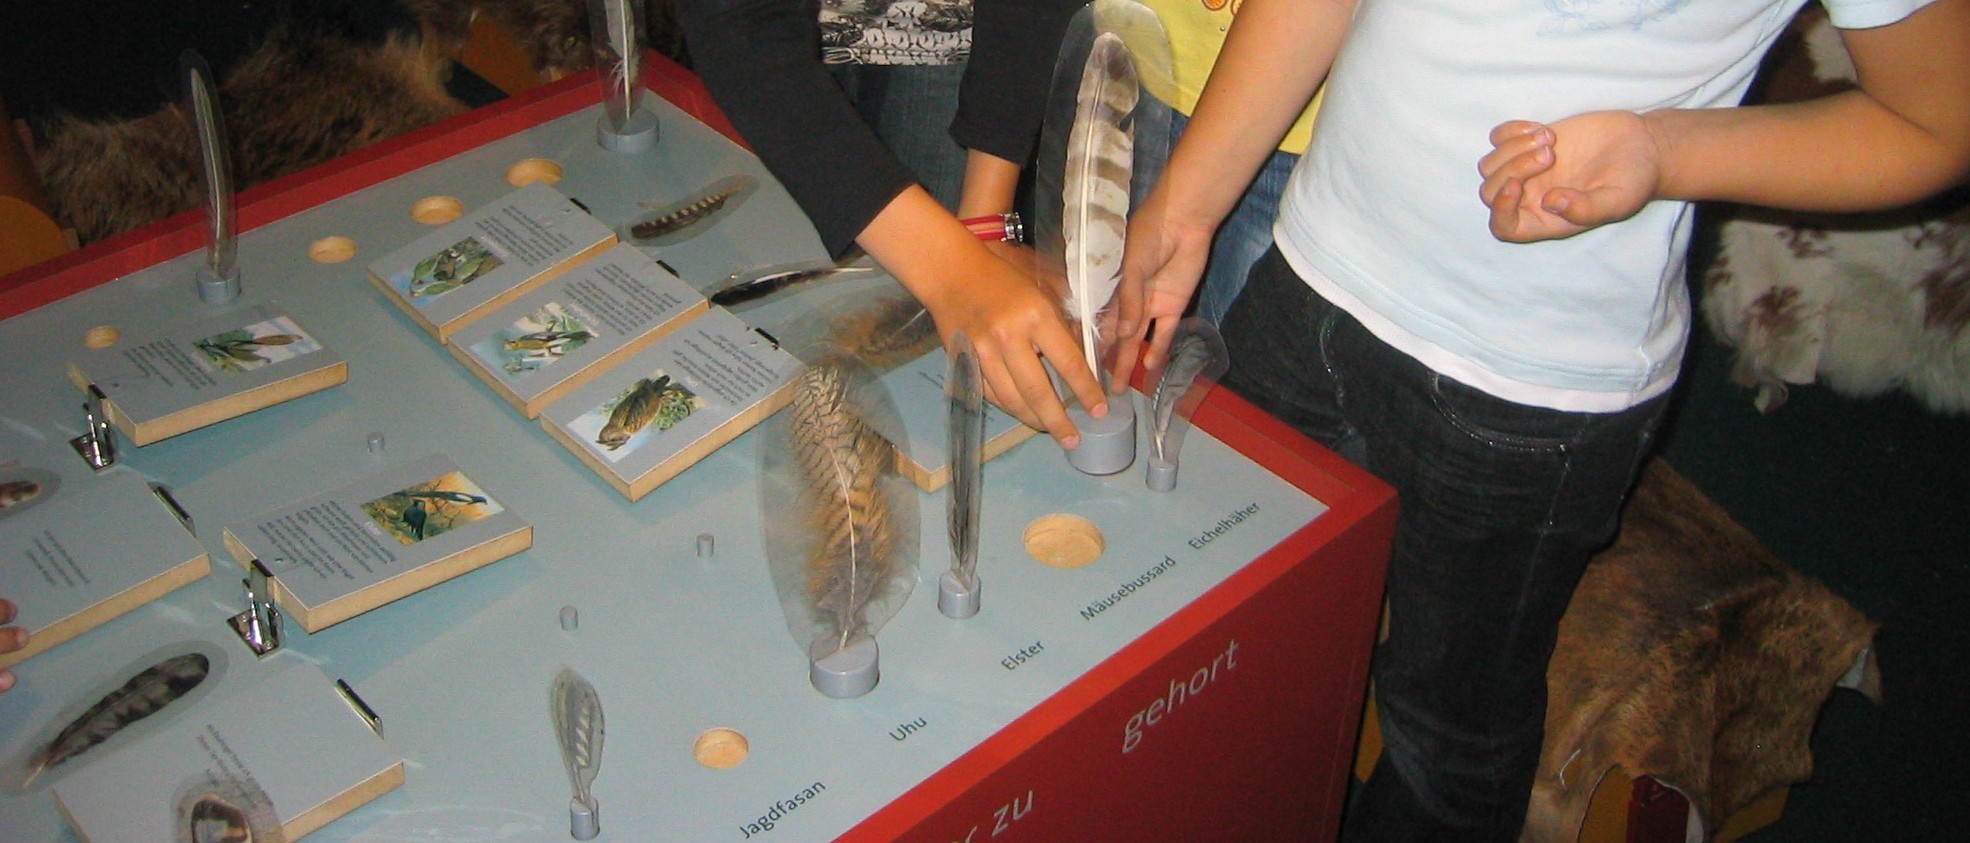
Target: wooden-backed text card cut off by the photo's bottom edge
275,761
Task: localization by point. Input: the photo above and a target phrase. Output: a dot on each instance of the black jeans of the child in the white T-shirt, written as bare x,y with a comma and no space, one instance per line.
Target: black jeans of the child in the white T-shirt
1502,505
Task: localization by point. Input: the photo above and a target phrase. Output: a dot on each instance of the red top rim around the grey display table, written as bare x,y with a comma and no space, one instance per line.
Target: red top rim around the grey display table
1348,491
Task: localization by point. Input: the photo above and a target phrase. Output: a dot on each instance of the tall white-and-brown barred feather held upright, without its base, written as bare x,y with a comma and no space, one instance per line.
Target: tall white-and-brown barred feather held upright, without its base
1096,186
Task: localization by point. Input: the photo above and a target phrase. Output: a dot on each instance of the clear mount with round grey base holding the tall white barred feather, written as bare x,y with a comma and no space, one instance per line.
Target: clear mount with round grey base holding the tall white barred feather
1114,60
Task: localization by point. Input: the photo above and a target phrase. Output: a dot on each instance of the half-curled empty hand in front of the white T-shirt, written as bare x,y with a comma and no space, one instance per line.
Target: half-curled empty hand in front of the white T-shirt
1547,182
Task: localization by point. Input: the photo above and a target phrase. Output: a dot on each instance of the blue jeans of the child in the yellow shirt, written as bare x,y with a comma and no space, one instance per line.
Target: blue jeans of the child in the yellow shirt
1242,237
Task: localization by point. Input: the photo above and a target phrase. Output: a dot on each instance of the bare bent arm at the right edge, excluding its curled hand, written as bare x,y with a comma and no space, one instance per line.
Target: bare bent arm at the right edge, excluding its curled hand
1902,137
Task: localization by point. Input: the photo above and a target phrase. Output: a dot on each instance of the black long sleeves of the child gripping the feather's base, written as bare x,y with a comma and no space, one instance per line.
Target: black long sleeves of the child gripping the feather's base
761,60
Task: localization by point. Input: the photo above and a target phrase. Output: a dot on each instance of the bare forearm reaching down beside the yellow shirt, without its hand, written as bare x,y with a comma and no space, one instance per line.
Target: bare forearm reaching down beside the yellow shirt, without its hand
1274,62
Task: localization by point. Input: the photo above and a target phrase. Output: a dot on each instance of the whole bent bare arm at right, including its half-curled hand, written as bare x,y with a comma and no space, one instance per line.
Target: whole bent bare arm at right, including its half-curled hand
1902,137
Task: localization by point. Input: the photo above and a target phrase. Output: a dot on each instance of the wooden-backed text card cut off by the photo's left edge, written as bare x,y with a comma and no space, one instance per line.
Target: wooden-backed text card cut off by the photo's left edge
78,554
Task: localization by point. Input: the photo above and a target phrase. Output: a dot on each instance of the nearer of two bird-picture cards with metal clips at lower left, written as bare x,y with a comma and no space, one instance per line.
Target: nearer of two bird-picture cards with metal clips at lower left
375,541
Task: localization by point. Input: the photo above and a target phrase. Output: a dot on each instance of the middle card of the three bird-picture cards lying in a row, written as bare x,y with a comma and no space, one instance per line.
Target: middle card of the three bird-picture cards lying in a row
574,328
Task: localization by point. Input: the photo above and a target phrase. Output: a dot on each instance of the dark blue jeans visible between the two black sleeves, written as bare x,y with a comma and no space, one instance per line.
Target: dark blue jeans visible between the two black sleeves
911,107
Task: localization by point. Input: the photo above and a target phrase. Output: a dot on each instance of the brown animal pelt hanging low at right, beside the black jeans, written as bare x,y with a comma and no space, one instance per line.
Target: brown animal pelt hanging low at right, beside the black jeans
1689,655
